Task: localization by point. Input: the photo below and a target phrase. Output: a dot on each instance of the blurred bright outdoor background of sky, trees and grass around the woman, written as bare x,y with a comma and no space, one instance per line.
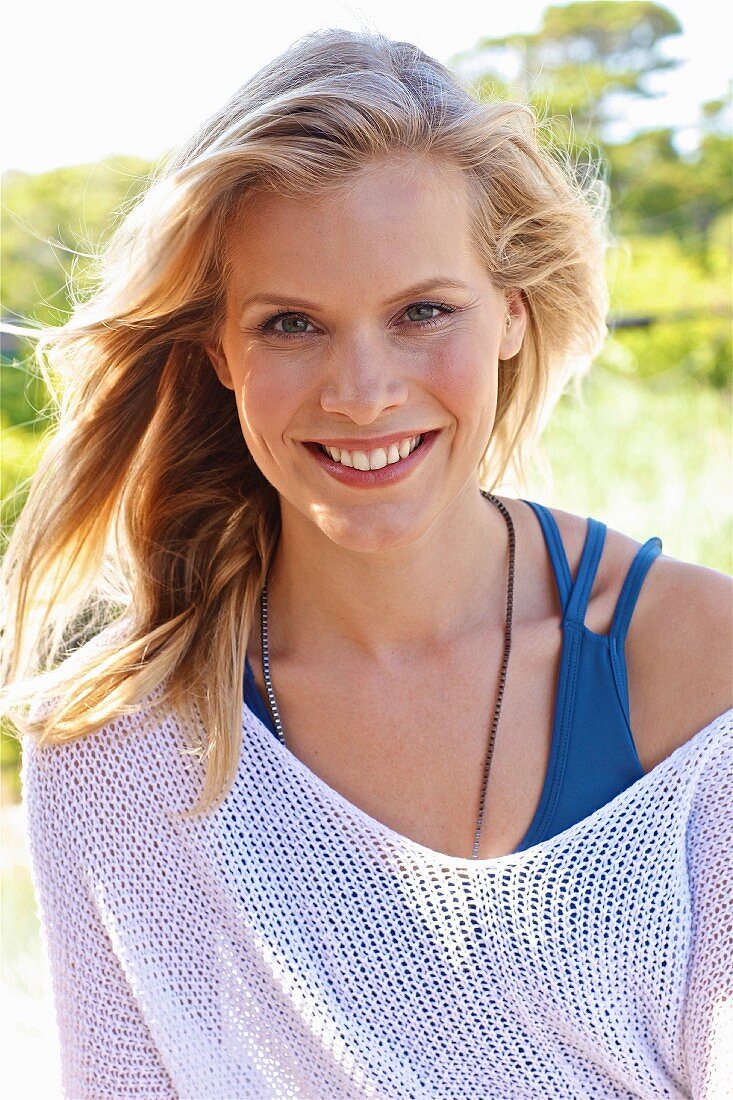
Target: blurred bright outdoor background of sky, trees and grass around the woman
94,102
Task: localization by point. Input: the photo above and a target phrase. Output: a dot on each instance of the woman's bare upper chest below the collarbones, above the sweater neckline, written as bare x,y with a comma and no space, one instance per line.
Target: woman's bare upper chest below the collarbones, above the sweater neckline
408,744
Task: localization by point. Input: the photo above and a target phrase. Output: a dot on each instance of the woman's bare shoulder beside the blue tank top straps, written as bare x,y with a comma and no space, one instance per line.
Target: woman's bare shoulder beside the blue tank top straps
680,645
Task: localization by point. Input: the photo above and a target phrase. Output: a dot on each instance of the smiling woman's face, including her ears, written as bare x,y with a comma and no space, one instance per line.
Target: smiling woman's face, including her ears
360,316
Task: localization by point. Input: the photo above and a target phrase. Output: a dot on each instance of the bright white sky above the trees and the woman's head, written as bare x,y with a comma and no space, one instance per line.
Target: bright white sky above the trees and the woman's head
84,81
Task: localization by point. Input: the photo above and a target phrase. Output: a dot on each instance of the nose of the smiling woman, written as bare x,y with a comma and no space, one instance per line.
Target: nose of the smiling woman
363,382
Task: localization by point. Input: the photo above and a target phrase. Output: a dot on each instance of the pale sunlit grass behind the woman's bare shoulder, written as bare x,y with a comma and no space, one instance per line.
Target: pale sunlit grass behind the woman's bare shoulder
647,460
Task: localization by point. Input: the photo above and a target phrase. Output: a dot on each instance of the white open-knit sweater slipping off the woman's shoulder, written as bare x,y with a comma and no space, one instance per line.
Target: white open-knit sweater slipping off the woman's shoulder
293,947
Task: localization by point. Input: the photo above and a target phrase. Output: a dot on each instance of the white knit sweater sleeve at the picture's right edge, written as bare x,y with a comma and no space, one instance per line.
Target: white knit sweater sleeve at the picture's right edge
708,1021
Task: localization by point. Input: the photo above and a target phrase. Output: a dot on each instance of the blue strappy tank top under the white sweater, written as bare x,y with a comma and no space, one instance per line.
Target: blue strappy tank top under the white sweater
593,755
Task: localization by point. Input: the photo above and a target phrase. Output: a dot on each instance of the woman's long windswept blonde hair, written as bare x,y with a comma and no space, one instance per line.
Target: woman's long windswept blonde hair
149,519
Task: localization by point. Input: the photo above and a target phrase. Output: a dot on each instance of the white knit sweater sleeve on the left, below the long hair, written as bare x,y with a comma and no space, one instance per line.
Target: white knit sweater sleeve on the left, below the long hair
107,1050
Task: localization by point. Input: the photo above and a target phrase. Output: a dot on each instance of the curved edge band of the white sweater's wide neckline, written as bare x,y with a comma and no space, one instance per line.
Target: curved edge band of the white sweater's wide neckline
428,856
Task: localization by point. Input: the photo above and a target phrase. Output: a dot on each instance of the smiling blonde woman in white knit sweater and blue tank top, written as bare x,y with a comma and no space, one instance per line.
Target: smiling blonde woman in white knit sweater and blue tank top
468,832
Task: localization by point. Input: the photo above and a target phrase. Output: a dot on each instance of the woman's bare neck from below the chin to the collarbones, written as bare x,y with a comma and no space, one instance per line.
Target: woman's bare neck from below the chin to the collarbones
418,598
